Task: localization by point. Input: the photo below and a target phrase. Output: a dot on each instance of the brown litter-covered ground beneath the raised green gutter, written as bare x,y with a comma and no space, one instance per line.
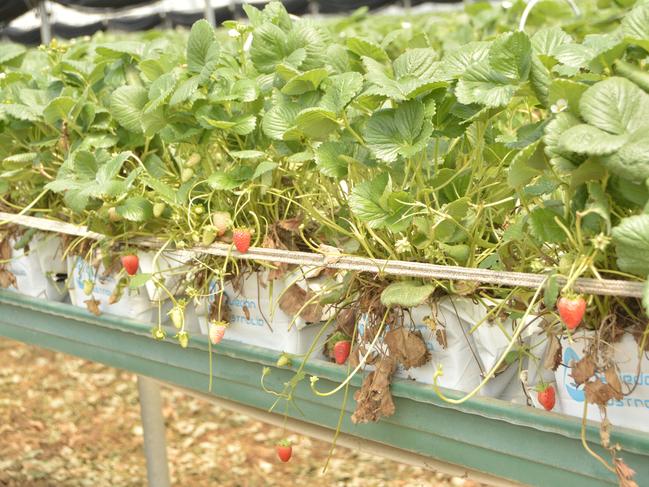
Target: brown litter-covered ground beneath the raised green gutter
70,422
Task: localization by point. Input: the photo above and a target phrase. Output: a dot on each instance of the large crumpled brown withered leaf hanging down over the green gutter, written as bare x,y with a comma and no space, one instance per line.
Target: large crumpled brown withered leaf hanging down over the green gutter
374,400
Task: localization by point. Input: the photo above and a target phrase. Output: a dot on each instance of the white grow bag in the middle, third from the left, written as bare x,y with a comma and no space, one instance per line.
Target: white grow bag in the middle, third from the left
256,319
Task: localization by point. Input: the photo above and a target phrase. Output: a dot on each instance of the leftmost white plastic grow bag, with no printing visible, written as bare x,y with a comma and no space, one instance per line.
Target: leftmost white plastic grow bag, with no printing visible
36,271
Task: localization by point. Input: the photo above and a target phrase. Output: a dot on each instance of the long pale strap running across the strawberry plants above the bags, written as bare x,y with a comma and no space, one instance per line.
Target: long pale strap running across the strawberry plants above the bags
604,287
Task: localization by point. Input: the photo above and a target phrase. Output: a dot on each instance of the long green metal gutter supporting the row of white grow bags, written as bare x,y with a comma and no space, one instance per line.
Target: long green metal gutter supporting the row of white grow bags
513,442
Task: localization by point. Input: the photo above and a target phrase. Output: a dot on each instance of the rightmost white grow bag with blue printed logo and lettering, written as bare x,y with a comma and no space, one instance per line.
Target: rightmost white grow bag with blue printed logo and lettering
633,410
